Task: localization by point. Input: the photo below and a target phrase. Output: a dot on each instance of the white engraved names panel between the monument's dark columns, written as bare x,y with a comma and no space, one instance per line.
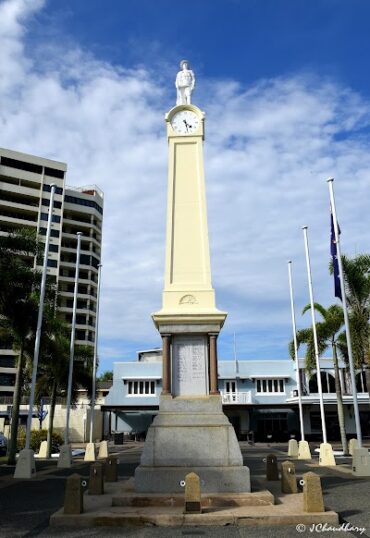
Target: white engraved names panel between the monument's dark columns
189,360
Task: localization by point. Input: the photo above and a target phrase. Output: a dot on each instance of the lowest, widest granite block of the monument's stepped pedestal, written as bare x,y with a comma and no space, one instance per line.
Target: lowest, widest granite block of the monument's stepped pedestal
172,479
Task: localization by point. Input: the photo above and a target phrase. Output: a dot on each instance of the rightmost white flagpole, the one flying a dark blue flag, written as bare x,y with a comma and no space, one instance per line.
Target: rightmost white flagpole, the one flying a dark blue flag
345,312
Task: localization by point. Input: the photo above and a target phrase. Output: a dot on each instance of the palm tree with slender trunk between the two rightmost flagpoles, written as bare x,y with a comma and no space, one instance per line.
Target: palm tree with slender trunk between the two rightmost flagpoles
328,334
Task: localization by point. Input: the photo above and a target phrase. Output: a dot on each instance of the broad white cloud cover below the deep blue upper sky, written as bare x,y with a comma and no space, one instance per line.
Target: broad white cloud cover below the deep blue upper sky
269,148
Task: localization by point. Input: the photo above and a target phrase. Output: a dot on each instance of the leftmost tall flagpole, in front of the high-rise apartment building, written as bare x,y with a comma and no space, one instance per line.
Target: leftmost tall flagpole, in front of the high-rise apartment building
39,318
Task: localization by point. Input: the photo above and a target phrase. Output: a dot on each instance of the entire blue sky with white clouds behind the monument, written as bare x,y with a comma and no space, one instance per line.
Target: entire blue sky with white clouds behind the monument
285,87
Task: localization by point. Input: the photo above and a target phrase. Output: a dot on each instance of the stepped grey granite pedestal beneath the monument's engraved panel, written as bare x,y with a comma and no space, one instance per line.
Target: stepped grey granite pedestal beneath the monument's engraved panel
191,434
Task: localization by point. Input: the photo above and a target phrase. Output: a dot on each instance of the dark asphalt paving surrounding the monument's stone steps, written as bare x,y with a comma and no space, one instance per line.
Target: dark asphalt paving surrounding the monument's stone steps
26,505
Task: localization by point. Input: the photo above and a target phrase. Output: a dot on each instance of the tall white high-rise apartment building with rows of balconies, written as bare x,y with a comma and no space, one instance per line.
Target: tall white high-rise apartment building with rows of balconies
25,185
